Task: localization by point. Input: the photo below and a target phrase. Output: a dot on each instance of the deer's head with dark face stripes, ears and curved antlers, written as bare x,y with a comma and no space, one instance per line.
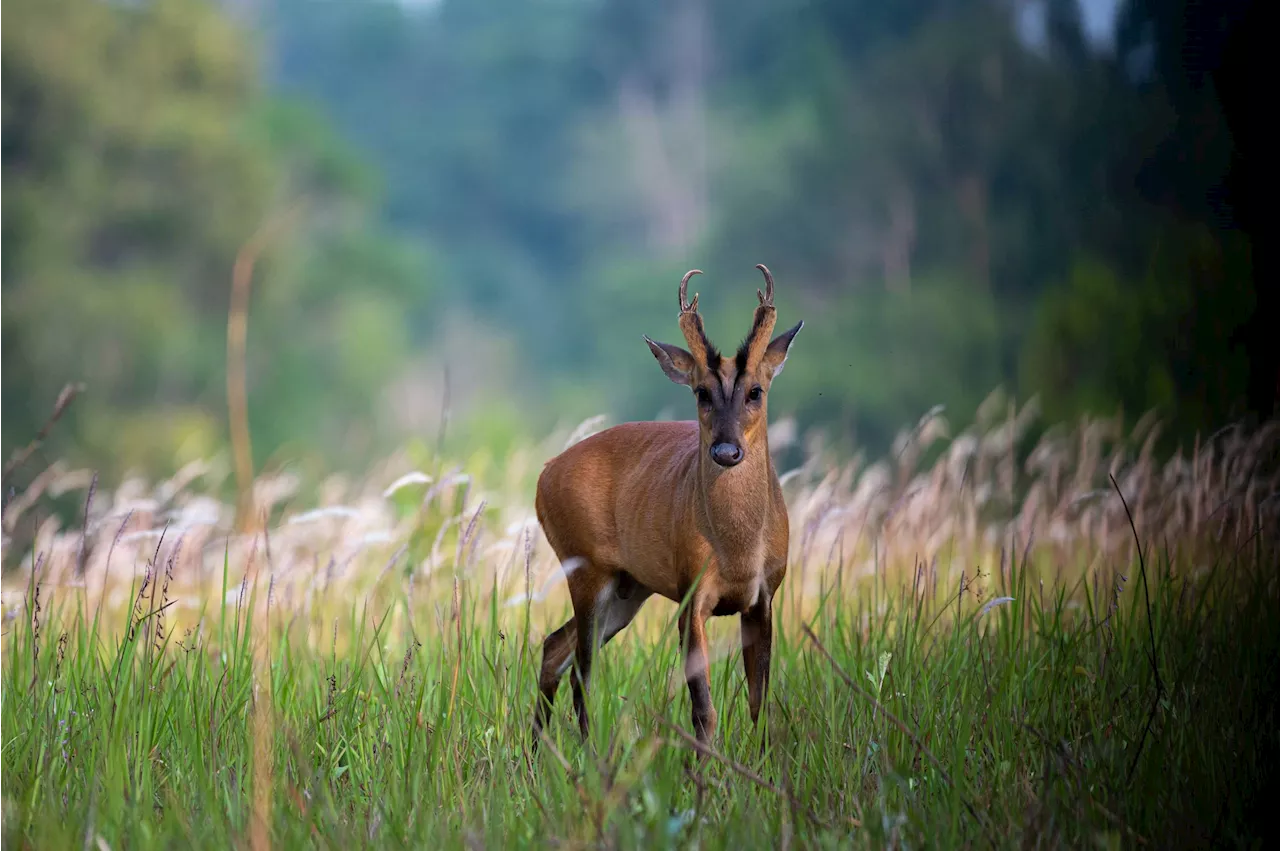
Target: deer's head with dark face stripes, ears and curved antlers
732,394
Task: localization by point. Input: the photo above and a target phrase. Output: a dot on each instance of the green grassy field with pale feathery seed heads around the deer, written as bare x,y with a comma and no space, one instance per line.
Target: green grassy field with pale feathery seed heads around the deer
970,653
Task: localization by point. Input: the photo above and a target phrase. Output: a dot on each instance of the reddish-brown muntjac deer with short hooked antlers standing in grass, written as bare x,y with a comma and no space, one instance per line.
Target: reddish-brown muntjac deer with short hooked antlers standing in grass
644,507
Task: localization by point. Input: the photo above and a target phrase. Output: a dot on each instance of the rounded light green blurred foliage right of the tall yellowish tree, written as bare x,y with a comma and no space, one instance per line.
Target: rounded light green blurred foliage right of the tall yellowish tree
330,331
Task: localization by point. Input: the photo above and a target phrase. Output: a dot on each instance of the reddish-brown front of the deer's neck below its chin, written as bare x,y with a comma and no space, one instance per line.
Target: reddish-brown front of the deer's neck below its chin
737,501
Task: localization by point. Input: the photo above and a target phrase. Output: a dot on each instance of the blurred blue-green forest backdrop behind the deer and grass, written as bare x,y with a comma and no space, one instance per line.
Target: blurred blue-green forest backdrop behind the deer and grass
474,211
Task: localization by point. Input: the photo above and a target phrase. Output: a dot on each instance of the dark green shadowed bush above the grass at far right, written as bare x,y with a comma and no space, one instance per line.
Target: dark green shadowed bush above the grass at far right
1168,341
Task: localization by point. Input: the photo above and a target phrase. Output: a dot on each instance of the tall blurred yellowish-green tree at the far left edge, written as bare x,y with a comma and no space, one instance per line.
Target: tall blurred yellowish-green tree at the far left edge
127,189
